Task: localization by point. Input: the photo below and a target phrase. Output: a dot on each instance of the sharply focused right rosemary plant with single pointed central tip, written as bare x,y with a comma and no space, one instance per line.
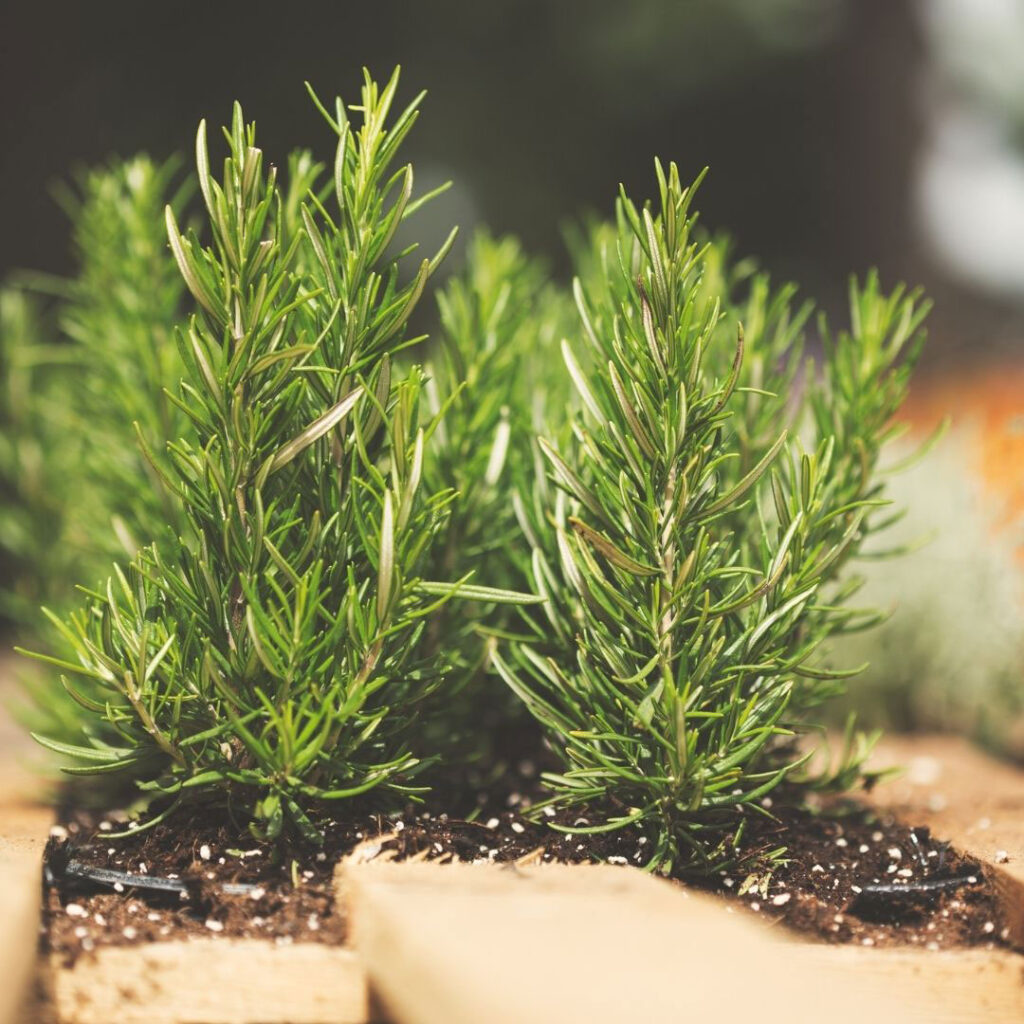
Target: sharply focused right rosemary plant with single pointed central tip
690,540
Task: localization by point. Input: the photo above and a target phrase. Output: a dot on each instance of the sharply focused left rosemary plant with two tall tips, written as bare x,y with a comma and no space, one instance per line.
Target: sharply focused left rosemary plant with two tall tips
269,655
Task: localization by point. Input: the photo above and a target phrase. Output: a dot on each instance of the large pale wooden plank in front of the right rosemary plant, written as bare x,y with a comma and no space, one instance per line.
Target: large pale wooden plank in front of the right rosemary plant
464,945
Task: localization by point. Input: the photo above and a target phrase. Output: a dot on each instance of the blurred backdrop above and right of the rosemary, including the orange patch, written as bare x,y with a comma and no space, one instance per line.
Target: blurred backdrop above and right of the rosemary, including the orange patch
841,135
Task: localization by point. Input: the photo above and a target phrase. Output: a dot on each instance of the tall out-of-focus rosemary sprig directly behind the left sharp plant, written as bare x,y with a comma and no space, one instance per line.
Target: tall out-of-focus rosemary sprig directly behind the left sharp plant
118,317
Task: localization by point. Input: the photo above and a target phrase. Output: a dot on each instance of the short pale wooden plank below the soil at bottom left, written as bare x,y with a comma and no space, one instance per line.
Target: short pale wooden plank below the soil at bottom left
212,980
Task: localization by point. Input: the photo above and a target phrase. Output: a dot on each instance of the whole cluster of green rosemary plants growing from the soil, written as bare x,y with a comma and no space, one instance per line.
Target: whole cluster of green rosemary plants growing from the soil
320,541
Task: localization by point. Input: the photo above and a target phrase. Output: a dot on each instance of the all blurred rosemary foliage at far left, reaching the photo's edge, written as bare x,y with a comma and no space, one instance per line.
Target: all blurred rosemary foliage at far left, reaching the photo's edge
97,372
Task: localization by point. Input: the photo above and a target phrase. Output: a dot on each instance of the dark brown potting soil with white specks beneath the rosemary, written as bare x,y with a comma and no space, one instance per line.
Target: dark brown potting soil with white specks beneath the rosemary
849,877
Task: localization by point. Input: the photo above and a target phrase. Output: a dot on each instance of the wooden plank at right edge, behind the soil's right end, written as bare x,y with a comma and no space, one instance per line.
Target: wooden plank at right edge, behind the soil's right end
968,798
